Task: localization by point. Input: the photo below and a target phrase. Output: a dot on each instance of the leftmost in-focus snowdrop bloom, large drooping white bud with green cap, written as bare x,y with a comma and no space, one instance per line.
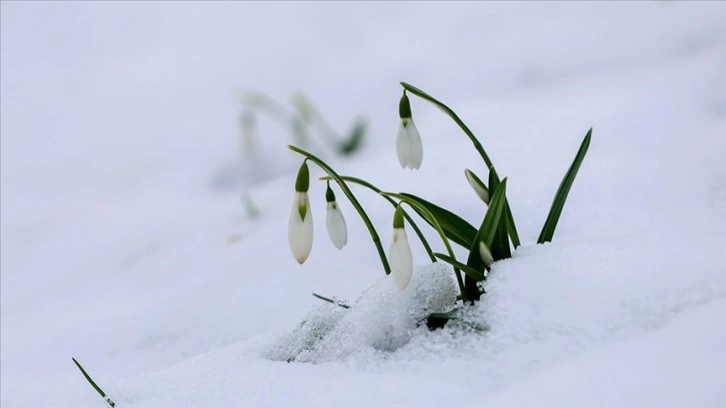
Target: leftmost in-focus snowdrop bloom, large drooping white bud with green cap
300,228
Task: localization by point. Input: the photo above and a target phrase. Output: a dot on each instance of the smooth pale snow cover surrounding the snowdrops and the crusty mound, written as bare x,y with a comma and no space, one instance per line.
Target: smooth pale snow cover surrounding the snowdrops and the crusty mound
120,248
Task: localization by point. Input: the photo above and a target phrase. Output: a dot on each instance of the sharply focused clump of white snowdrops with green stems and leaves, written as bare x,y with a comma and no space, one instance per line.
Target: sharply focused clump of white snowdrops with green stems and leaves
486,244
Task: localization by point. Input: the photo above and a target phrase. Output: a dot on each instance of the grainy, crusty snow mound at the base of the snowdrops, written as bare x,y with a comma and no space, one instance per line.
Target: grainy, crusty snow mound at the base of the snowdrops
383,319
